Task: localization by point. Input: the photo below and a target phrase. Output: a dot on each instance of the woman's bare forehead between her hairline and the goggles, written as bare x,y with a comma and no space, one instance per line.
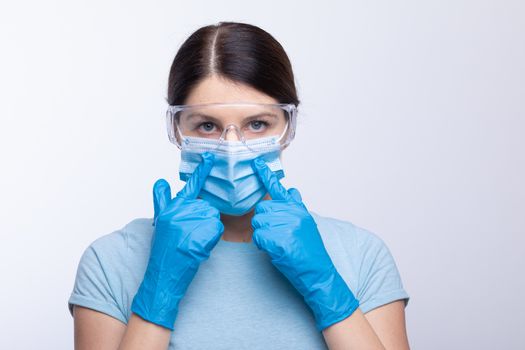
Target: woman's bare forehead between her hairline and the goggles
216,89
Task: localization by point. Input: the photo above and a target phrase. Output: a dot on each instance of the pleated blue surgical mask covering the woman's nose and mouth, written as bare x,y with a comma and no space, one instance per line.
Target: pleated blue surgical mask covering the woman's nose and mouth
232,186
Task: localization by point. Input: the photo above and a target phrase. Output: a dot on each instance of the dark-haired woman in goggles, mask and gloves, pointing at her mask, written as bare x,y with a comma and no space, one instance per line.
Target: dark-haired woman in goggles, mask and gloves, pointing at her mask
235,260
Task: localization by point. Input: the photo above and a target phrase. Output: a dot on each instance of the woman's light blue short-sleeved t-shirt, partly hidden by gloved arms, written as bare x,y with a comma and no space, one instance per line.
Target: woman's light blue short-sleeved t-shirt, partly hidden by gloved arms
237,299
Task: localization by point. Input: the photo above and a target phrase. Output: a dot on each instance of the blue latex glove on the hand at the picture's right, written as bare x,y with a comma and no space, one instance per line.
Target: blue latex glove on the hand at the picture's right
288,233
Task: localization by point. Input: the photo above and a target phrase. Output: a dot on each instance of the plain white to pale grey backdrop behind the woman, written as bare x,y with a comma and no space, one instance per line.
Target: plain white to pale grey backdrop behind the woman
411,125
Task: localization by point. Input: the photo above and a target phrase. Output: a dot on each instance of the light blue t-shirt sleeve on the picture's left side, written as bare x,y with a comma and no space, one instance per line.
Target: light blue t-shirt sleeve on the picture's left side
95,286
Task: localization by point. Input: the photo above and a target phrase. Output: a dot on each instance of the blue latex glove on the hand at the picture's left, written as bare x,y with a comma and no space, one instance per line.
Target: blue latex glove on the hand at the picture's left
186,230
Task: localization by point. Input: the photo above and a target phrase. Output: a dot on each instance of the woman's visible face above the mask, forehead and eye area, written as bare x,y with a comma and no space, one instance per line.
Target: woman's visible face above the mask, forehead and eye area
216,89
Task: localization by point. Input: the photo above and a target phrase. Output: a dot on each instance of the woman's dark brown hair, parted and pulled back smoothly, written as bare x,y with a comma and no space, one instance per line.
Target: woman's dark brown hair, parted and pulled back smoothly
237,51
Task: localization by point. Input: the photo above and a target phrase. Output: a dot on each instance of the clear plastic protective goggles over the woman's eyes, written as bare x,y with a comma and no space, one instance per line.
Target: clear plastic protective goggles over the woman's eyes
249,122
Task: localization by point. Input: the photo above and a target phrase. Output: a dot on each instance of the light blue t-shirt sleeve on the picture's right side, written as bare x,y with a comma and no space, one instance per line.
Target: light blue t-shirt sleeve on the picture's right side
379,279
